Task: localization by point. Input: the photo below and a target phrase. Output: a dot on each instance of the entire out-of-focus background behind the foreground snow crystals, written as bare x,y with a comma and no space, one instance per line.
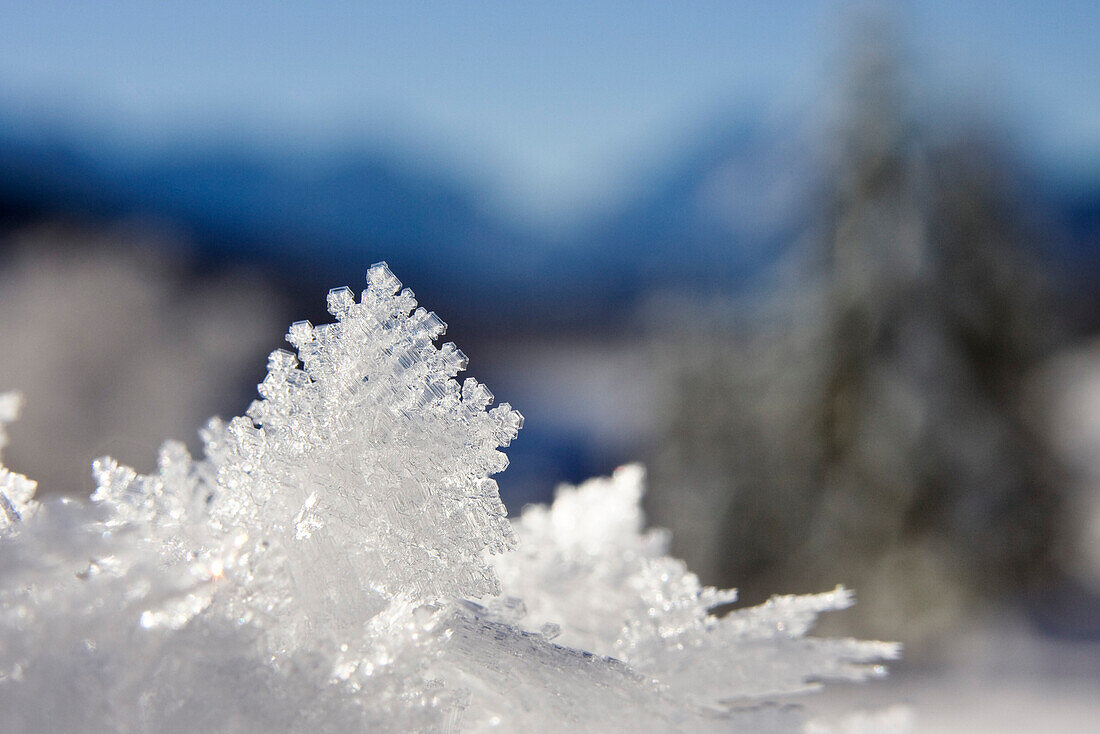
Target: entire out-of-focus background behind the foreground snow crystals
831,270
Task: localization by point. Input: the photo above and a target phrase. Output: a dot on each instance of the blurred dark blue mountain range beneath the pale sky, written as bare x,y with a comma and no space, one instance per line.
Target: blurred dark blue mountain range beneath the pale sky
711,216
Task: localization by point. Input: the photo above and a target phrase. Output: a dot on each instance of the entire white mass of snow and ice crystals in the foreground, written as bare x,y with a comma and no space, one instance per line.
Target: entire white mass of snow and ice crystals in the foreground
339,561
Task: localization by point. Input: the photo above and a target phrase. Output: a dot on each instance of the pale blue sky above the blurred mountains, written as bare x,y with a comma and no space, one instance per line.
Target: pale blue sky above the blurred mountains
549,104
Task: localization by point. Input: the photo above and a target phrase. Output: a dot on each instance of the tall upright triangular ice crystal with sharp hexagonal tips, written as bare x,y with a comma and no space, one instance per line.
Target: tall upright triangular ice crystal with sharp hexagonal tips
372,440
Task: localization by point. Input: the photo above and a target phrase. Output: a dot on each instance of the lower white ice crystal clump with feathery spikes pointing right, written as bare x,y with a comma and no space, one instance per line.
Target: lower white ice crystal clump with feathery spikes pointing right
586,567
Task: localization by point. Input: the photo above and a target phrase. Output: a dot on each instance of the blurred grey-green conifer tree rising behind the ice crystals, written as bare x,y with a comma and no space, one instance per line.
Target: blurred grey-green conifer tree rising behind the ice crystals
867,428
